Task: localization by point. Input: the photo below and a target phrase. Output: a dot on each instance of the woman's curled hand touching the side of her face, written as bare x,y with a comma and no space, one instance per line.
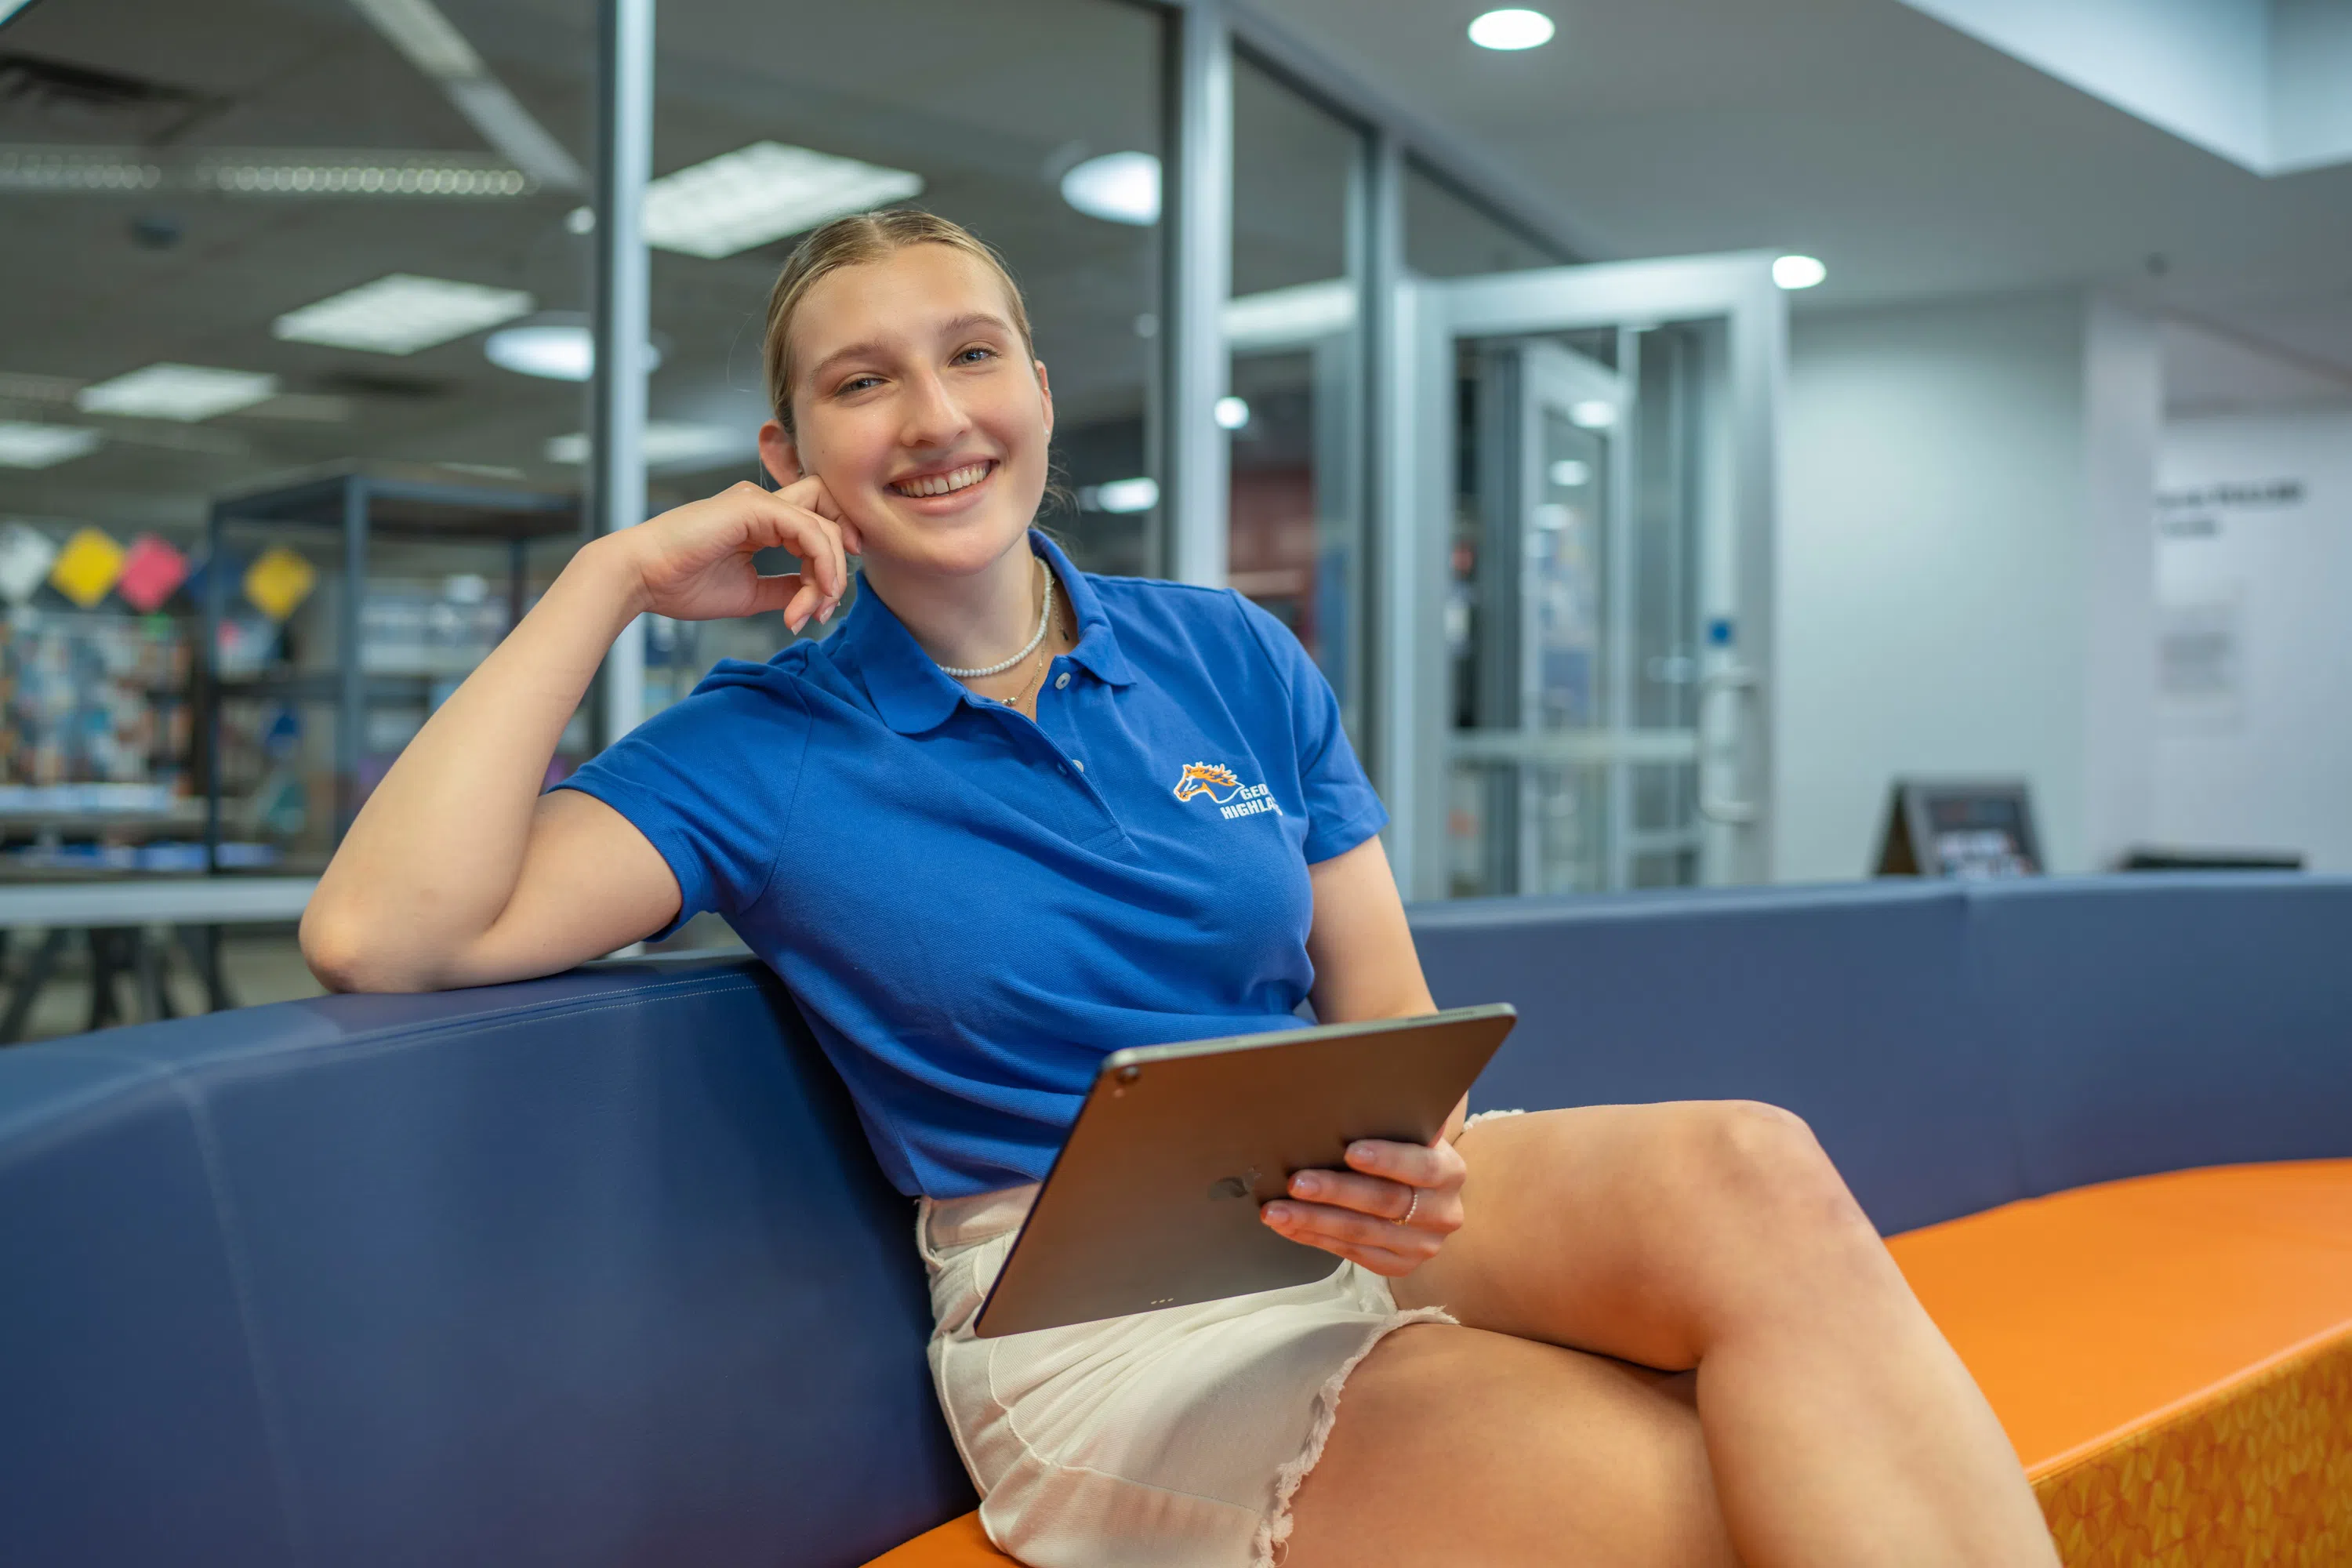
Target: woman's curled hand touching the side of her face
695,561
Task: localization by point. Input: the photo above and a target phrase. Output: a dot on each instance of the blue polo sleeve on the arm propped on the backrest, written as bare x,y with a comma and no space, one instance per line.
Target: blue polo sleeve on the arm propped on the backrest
709,782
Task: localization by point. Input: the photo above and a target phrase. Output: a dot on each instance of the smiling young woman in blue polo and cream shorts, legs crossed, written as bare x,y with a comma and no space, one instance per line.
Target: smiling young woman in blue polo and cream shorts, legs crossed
1636,1334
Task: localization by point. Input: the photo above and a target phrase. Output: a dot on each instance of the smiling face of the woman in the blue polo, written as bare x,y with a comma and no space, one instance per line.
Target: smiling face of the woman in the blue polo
918,406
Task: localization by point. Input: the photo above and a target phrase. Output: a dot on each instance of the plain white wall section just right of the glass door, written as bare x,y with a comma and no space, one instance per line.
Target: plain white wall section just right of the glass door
1963,549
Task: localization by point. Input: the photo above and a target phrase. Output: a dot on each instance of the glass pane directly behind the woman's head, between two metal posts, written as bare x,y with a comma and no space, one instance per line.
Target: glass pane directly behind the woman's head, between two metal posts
1034,123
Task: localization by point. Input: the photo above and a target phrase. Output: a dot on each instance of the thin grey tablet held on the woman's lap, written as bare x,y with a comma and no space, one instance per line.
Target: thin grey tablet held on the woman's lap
1154,1200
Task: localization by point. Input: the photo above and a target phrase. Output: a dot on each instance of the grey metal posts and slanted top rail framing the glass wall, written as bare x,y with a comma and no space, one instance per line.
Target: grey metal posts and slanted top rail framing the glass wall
1194,366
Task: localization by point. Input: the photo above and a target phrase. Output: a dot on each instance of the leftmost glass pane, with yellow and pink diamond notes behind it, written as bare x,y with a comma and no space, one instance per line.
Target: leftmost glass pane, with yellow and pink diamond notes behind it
258,248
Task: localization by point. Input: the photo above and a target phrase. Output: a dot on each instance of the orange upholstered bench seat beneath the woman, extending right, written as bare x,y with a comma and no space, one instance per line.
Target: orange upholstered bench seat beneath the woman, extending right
2170,1355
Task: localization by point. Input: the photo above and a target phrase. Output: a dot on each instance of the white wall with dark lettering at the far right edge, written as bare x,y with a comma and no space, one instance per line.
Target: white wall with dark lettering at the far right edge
2266,760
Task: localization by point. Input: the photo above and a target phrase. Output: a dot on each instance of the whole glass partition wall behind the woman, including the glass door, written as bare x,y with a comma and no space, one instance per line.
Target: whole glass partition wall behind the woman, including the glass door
366,236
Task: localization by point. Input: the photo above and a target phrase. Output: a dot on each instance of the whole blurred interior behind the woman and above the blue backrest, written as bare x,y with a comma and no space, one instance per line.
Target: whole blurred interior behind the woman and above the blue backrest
1702,443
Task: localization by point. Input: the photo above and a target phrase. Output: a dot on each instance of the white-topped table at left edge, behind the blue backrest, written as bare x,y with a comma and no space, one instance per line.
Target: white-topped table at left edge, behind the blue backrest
119,918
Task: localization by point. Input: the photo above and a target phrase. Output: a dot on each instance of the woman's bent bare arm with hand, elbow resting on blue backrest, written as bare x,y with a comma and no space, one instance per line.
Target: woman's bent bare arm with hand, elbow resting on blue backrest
457,871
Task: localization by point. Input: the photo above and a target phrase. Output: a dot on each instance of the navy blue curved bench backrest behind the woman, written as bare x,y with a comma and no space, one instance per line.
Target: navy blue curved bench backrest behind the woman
599,1271
